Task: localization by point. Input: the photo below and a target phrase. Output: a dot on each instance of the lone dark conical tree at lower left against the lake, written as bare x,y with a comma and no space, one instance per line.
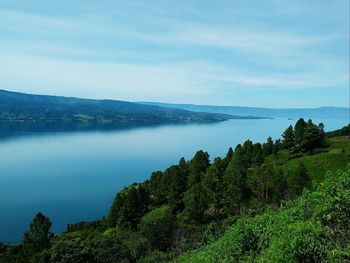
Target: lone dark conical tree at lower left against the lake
38,236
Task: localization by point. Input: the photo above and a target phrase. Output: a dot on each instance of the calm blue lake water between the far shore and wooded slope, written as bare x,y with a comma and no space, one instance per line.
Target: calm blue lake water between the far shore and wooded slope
74,176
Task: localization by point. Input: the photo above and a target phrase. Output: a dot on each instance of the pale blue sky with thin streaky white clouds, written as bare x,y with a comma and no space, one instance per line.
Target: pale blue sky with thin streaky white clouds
271,53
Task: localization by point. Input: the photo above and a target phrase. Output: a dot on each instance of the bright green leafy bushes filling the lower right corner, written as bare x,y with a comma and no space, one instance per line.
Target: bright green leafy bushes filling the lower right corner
313,228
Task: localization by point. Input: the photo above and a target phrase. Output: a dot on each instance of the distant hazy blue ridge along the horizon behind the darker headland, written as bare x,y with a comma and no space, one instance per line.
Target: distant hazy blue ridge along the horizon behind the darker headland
322,112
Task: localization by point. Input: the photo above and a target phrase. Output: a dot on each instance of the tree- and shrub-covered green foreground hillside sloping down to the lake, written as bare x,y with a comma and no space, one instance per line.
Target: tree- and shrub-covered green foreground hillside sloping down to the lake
270,202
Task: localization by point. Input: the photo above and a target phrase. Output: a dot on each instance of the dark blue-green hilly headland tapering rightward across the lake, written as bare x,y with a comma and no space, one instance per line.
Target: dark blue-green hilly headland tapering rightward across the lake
20,107
